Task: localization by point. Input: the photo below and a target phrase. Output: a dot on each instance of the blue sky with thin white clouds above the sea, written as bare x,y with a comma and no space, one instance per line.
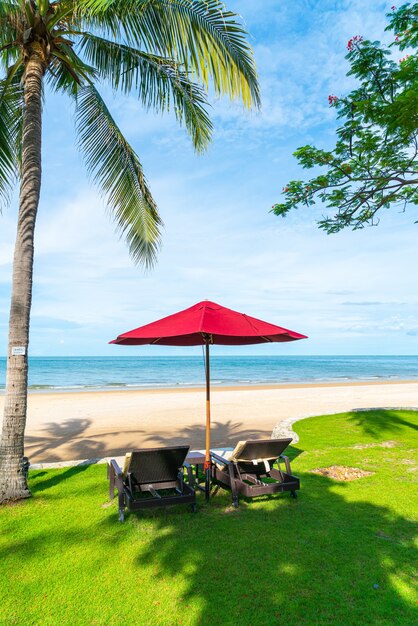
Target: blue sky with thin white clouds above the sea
352,293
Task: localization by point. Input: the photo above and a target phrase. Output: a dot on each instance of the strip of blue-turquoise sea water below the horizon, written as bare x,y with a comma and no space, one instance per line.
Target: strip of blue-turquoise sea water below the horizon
126,372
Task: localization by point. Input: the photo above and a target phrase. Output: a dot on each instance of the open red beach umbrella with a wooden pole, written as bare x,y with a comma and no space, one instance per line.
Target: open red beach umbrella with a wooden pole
207,323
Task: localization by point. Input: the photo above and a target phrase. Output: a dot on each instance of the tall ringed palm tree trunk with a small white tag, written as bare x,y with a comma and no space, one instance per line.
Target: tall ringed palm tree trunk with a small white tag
13,485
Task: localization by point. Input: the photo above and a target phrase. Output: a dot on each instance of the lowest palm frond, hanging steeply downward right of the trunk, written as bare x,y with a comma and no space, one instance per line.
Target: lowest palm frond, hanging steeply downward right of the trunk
116,169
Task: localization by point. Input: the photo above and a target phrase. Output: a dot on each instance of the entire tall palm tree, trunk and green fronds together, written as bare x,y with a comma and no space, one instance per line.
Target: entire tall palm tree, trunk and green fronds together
169,52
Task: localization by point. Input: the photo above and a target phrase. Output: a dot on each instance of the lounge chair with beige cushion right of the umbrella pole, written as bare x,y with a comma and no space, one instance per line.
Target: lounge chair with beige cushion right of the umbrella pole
248,470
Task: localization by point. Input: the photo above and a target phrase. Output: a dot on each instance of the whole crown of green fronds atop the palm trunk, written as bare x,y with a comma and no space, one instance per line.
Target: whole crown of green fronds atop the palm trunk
167,52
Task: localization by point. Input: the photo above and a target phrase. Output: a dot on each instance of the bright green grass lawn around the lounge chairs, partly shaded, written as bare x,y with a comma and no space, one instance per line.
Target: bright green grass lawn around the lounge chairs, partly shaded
342,553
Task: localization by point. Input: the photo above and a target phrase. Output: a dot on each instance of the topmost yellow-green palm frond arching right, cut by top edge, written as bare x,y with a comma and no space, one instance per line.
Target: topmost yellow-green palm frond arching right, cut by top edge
200,35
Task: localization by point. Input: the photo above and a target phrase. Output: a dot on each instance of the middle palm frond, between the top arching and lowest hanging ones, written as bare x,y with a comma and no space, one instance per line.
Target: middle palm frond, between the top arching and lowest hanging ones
160,83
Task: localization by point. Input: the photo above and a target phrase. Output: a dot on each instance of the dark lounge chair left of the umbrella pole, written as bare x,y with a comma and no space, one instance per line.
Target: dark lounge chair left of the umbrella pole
151,477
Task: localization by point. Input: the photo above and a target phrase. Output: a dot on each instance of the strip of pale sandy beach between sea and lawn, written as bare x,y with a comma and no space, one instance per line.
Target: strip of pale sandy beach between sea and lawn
67,426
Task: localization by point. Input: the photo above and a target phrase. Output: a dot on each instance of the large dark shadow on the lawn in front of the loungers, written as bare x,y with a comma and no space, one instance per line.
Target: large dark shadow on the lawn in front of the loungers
317,560
